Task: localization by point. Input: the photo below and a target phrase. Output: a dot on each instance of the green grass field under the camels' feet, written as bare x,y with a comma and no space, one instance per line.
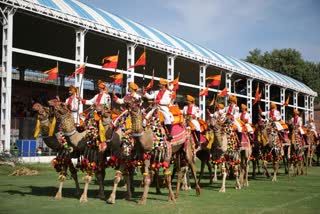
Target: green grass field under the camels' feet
34,194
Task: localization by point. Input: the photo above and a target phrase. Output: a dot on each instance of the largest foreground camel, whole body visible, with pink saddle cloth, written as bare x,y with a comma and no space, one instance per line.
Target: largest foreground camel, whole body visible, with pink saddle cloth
144,149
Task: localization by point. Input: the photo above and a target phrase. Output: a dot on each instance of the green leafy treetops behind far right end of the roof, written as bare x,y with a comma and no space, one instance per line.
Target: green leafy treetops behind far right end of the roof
288,62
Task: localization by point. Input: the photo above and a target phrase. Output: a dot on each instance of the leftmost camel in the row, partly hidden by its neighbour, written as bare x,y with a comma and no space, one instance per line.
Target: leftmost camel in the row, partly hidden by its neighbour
63,160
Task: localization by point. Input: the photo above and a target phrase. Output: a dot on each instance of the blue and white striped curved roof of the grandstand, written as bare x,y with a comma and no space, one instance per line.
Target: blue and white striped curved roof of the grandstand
79,13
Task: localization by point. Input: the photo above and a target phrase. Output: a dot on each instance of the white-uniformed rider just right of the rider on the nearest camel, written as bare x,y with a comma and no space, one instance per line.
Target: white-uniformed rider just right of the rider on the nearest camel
192,112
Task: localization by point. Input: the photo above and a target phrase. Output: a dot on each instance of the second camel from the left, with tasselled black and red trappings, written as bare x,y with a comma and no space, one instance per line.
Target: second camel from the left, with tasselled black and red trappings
92,151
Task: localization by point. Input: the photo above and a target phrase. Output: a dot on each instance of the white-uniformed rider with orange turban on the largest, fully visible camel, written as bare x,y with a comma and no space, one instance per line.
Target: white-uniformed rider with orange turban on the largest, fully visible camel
162,99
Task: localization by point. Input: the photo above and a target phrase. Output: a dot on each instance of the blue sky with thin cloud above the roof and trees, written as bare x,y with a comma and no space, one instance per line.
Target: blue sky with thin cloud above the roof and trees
230,27
